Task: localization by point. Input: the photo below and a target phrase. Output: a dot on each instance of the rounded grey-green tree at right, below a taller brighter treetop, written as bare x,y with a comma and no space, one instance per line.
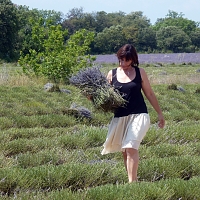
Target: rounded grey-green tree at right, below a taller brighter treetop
172,38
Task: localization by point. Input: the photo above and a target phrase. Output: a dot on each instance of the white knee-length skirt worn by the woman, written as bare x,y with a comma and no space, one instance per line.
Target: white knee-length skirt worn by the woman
126,132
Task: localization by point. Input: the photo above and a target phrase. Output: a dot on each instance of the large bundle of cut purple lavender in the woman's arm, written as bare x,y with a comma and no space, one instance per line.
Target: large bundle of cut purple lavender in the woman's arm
93,84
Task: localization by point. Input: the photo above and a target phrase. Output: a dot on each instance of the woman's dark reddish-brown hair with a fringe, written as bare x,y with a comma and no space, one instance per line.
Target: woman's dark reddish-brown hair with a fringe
128,52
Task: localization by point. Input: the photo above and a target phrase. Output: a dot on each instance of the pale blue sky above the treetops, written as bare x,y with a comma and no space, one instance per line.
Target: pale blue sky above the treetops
152,9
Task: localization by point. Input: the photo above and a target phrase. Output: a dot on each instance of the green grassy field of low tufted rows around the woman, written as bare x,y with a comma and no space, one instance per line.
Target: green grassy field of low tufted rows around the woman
47,152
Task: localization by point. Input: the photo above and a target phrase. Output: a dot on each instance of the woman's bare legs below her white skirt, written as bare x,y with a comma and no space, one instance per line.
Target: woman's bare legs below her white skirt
131,161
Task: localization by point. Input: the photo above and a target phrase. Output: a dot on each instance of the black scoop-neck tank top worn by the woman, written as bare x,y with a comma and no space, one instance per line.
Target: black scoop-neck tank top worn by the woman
131,92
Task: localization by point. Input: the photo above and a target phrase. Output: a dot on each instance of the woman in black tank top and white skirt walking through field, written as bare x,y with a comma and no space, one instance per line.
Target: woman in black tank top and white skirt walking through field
131,122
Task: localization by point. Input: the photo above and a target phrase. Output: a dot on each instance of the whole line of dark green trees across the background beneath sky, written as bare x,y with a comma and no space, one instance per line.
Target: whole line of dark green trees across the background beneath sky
174,33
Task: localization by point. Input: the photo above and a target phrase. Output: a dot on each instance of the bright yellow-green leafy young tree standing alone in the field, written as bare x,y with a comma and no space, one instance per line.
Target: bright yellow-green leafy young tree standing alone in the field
57,60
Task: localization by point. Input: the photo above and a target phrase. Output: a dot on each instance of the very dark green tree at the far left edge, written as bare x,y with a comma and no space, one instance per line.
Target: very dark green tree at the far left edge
9,26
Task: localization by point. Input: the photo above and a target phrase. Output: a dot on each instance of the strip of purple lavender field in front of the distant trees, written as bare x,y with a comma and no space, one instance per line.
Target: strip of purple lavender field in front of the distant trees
155,58
